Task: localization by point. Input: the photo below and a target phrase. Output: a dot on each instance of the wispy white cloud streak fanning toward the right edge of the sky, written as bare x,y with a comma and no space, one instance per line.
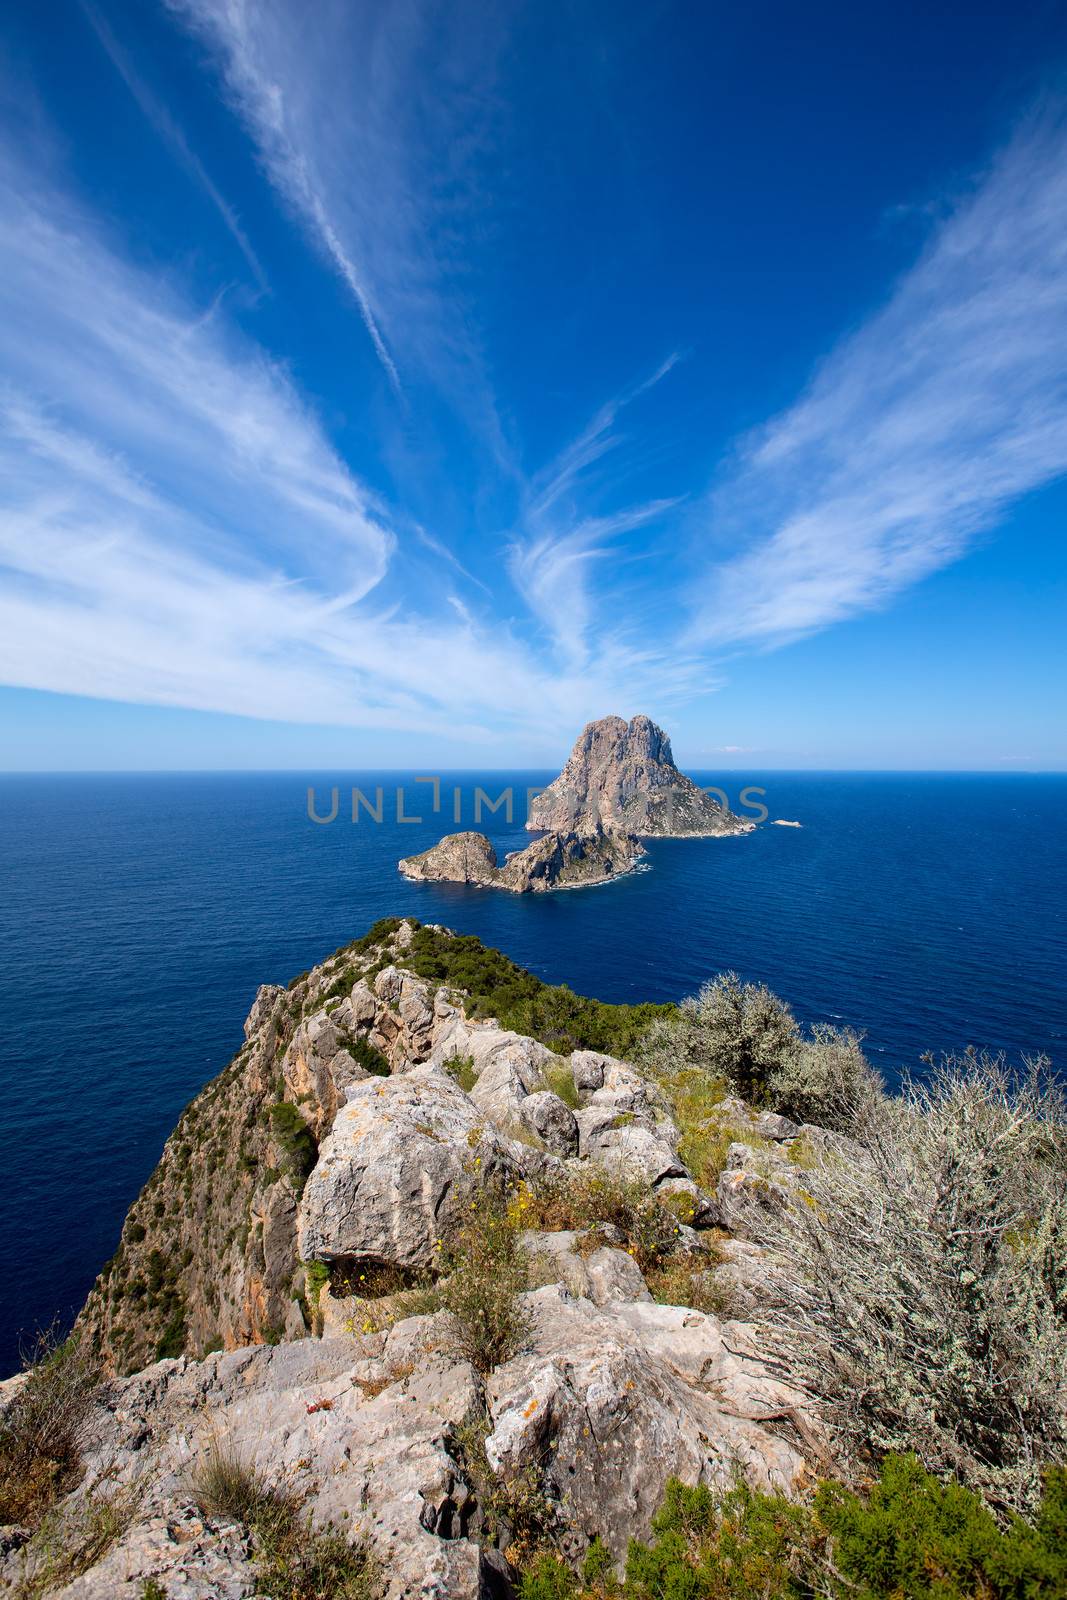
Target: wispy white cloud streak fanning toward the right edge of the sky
921,430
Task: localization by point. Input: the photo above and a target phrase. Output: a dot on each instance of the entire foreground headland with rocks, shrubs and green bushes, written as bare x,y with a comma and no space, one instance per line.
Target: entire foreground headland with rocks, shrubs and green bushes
454,1286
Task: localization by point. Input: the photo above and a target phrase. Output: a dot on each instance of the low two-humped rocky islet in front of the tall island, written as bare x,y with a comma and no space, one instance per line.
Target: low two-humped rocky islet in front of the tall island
557,862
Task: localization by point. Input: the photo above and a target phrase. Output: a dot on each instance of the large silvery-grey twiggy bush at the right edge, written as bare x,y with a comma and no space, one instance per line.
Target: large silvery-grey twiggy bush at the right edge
922,1278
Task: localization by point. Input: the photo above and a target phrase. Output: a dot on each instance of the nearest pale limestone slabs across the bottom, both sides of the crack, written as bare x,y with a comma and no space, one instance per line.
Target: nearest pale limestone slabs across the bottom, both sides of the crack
602,1406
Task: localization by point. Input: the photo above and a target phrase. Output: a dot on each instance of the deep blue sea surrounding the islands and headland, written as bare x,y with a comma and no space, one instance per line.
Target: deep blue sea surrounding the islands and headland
140,913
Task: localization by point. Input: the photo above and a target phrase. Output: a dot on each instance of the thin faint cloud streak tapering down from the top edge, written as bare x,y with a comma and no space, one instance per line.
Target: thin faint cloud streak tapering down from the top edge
372,161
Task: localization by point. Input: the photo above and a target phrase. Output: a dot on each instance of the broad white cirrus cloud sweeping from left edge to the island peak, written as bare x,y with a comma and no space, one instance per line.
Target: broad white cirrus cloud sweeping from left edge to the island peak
177,529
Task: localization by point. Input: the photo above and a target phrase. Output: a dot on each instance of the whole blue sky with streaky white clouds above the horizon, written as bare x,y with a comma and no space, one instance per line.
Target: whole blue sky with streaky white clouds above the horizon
409,383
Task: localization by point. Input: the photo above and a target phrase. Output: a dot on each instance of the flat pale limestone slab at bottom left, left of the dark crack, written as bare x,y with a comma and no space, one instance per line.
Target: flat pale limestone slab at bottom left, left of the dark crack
356,1430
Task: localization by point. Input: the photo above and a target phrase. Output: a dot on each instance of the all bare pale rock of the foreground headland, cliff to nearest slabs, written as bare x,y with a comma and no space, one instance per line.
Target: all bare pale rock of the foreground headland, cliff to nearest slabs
361,1124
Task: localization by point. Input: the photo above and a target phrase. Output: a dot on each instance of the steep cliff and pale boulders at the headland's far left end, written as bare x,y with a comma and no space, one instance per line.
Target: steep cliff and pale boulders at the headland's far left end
210,1252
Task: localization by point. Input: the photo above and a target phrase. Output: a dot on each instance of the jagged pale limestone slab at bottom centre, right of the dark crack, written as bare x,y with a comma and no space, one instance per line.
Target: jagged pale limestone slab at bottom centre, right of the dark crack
620,1399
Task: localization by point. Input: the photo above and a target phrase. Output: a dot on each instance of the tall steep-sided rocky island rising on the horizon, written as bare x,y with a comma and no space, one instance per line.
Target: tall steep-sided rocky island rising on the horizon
623,777
